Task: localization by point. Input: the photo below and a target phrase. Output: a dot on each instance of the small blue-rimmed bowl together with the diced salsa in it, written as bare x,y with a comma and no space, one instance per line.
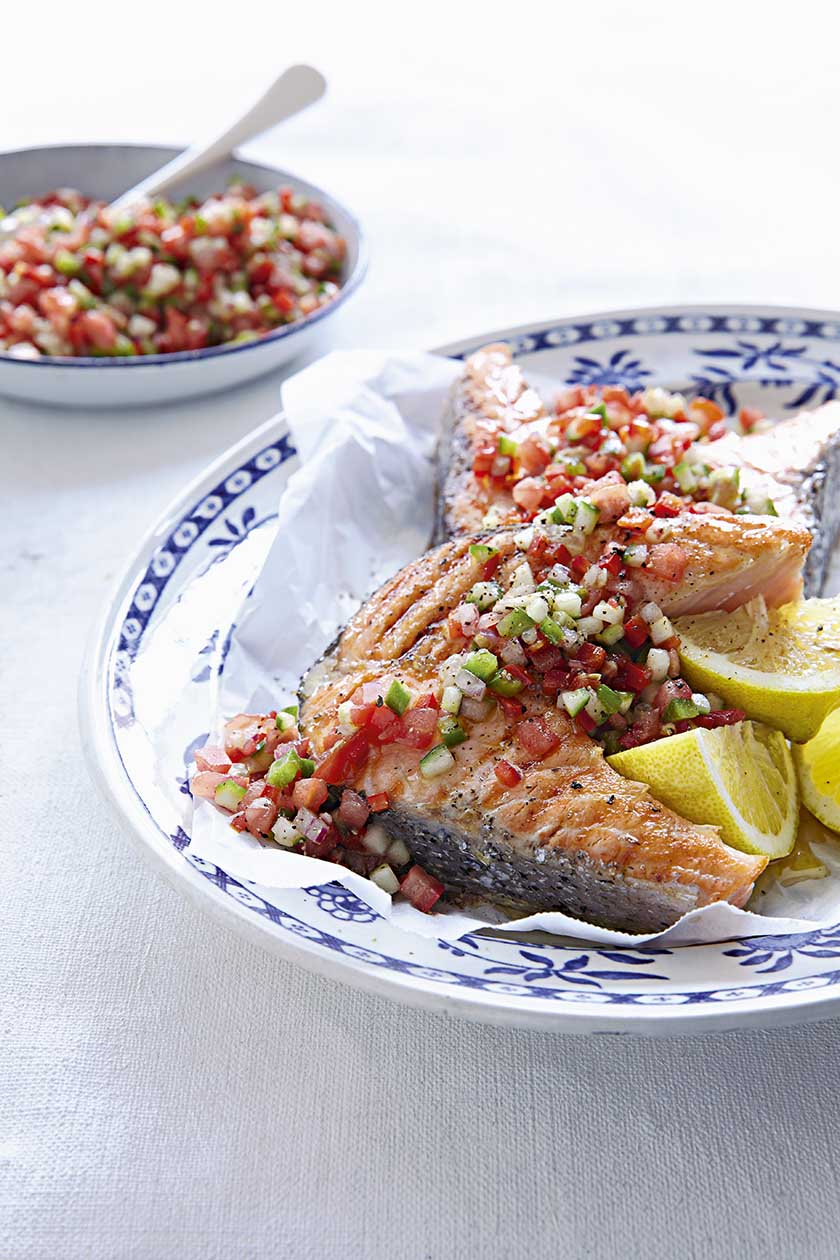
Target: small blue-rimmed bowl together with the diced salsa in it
216,285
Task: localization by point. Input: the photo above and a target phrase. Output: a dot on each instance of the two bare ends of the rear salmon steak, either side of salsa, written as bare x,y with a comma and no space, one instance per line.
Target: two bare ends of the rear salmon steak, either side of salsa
797,464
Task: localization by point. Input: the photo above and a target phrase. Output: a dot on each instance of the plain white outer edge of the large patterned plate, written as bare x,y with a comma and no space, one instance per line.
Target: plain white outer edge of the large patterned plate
127,806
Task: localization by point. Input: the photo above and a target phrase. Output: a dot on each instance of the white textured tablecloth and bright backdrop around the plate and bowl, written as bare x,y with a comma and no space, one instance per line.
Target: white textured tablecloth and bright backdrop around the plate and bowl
167,1091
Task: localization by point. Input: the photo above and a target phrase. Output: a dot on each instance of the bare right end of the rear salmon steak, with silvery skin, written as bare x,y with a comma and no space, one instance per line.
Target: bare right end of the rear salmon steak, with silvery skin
798,466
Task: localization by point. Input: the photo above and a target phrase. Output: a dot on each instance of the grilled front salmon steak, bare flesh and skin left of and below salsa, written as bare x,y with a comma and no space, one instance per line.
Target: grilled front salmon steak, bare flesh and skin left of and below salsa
572,835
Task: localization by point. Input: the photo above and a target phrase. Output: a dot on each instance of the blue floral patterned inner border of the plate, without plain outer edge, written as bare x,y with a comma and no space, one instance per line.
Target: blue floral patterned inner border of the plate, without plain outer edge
210,559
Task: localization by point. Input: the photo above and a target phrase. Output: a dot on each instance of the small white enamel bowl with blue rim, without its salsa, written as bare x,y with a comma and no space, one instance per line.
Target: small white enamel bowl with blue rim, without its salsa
105,172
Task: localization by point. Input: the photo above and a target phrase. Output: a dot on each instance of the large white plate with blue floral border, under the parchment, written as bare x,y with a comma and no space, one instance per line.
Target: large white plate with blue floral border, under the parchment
167,632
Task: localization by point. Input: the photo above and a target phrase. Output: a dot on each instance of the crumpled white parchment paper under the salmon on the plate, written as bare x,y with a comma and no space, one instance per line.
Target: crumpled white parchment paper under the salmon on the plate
362,506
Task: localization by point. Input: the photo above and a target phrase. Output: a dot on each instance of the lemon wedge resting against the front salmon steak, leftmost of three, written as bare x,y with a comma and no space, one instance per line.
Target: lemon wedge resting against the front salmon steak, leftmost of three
739,778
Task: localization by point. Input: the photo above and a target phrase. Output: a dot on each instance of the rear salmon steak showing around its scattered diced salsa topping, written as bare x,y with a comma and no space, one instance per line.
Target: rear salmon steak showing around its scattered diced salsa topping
793,471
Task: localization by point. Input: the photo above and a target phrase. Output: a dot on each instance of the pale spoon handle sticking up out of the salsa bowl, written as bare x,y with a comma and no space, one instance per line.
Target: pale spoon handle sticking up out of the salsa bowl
297,89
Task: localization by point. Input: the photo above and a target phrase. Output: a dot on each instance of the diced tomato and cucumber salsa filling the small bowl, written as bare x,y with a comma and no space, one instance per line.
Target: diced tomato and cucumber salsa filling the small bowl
77,279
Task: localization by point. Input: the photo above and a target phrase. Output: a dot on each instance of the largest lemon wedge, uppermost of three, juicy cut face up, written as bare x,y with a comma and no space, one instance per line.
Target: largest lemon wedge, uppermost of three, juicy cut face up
780,666
